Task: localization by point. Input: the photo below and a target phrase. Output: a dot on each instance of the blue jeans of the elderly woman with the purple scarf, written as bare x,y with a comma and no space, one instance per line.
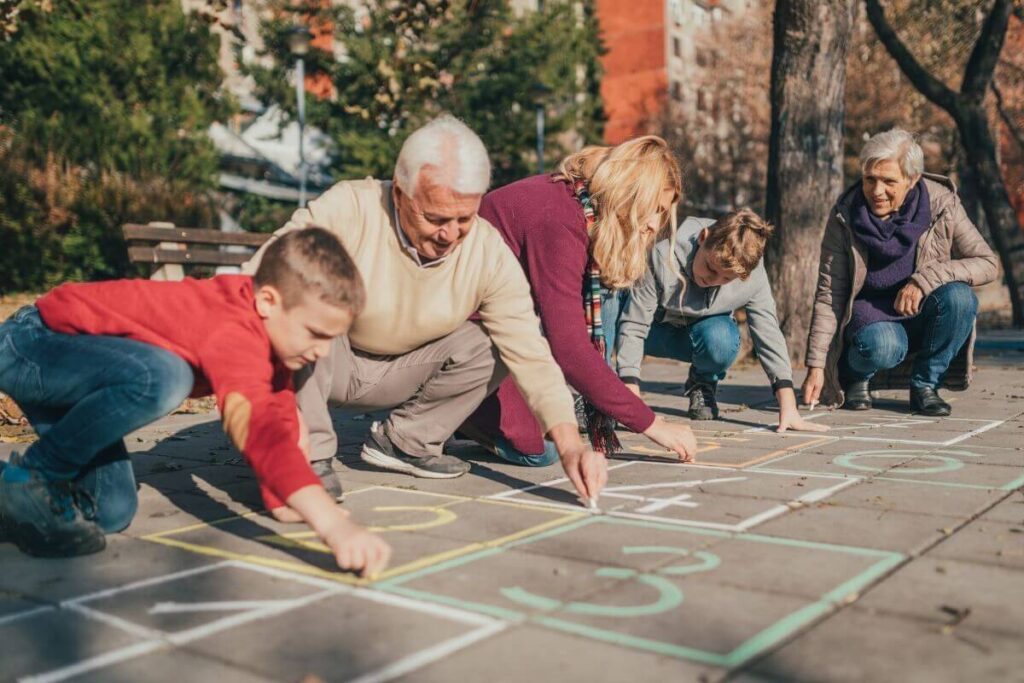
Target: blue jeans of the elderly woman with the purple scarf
937,333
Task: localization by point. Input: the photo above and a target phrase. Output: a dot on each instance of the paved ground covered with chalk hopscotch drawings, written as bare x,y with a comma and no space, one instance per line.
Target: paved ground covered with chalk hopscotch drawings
891,548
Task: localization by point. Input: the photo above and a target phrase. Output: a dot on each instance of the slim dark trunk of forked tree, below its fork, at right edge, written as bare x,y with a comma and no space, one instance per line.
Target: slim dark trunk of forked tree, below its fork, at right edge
979,148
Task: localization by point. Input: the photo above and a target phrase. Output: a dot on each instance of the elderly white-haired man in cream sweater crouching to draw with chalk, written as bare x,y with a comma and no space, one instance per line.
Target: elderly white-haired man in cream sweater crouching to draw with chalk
430,263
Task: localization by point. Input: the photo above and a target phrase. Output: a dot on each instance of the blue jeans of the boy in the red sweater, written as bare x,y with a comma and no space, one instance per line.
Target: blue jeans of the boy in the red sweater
82,394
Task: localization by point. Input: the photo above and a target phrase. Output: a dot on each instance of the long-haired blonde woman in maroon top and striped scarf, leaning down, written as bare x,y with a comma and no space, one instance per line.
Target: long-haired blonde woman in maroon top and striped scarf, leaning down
583,236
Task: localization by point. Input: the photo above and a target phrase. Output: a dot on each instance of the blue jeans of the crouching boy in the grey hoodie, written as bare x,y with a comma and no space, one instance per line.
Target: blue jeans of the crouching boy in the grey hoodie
710,346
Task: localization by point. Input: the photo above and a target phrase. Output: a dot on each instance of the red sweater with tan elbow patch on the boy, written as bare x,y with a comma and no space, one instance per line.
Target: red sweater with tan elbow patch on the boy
215,327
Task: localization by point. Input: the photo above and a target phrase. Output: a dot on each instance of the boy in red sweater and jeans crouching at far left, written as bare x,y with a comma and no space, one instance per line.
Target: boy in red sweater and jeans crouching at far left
90,364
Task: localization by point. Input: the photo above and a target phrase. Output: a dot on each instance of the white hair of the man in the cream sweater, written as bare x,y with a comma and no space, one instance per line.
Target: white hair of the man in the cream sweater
456,154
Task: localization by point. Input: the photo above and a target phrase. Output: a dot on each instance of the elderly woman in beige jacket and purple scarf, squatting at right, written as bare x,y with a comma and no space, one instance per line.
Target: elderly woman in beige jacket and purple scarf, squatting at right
899,261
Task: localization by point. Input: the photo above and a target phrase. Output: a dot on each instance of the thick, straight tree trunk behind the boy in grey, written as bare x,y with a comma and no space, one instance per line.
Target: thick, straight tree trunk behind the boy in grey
805,154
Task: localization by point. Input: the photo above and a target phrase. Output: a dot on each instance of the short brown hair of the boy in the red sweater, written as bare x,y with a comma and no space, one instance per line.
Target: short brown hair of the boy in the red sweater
312,261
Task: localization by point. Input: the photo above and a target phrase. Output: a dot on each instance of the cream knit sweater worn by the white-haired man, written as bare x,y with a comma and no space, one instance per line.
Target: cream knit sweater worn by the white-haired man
409,306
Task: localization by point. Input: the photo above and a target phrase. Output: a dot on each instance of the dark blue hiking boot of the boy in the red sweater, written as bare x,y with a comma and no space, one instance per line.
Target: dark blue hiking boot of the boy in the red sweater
48,519
